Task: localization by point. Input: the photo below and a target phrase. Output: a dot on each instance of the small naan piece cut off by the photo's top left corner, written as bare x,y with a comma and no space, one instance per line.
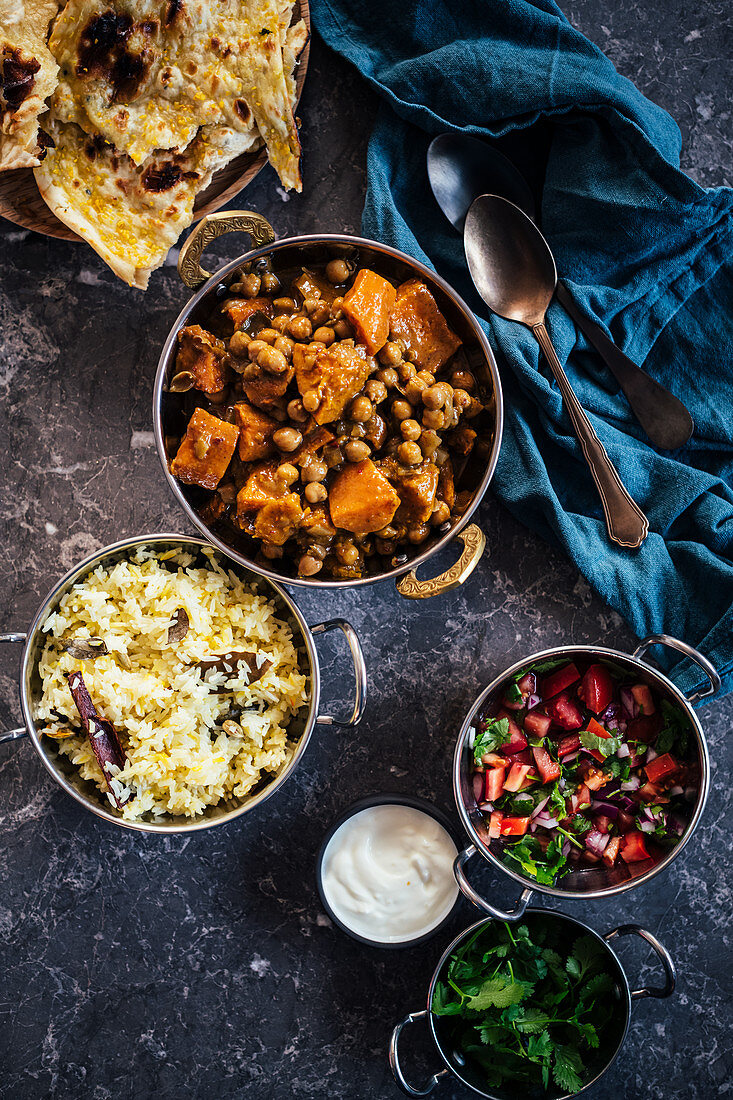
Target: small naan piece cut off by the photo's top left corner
28,76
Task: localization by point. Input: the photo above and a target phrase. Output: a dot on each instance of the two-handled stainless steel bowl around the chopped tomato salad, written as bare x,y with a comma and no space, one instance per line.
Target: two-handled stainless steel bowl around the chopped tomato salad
596,883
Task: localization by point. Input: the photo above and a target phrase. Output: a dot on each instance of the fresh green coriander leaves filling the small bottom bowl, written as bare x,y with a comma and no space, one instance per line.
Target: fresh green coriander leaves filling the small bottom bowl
530,1010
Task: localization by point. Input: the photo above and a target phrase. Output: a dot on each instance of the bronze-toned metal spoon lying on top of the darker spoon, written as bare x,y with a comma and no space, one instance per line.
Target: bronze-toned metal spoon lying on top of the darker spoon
515,272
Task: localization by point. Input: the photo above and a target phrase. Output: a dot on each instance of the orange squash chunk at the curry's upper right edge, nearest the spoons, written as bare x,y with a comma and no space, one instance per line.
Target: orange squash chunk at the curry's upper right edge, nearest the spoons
418,322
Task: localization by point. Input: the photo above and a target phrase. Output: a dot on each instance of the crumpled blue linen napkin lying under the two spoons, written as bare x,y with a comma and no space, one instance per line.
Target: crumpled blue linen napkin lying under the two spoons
646,251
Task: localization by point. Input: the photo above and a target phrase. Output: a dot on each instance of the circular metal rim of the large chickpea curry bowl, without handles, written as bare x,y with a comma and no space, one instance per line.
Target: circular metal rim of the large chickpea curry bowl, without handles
210,288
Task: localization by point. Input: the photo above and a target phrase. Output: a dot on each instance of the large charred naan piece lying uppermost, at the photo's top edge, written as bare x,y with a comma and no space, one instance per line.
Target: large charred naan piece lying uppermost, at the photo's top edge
149,74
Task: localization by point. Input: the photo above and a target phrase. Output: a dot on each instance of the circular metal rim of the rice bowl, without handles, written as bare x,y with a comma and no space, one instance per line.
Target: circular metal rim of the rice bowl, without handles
99,808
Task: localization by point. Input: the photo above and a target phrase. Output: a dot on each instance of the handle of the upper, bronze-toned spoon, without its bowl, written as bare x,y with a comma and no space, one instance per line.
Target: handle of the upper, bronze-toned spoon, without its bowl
627,523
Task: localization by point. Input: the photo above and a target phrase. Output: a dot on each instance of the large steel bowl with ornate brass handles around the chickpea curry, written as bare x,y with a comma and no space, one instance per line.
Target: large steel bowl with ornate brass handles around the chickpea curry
293,252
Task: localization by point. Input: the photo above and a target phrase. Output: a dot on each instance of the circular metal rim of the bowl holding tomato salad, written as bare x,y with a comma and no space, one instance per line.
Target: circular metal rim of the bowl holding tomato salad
595,652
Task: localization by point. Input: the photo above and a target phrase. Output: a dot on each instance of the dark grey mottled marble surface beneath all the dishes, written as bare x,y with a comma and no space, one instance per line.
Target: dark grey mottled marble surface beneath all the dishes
204,966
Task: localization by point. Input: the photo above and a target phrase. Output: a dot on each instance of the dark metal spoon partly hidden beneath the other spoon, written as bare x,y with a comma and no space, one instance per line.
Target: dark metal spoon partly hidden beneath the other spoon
462,168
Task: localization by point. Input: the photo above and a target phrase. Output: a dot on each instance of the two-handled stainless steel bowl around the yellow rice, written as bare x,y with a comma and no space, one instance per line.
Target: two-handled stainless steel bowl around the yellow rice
301,728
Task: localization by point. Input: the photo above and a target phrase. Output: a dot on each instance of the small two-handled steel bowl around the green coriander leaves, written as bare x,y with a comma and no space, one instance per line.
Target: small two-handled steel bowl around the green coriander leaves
601,1060
